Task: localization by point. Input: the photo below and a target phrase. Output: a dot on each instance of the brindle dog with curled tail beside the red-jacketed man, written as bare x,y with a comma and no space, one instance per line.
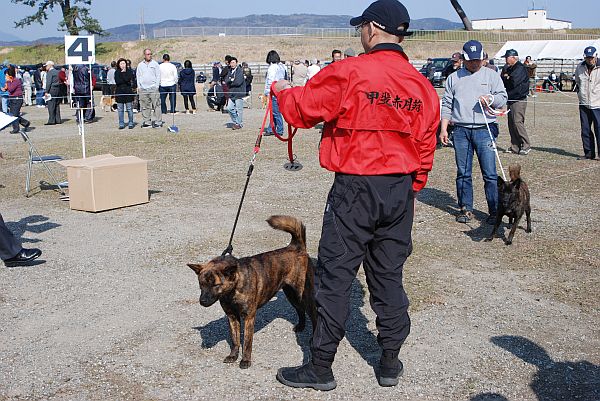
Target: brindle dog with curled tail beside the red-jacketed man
244,285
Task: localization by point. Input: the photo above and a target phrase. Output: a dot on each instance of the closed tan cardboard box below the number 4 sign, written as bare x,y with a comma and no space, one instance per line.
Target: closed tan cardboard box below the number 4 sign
106,182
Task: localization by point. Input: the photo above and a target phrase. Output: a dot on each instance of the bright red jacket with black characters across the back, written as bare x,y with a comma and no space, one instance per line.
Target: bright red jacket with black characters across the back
381,115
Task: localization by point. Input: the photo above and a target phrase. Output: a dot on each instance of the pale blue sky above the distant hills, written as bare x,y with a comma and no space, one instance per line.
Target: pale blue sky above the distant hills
111,13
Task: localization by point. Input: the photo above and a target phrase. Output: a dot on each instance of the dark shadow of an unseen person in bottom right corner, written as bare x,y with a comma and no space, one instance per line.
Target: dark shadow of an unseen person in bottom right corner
571,380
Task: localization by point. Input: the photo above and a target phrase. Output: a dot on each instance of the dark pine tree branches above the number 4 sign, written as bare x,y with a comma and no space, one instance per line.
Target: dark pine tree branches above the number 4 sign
75,17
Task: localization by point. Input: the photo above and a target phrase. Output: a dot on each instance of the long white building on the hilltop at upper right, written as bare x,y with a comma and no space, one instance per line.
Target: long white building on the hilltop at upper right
536,19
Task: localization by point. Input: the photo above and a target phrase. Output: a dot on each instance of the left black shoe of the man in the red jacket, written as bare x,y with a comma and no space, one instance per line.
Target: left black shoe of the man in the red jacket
307,376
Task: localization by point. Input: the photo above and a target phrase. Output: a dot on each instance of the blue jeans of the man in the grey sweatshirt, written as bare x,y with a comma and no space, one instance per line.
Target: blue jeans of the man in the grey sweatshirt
467,140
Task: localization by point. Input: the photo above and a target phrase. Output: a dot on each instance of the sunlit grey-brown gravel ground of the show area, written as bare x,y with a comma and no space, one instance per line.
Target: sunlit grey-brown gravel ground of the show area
113,311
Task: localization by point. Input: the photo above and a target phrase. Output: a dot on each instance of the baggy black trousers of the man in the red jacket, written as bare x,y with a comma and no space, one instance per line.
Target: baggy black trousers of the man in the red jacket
368,220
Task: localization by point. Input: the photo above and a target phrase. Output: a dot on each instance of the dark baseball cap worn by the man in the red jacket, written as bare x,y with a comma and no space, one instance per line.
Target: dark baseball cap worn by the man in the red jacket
388,15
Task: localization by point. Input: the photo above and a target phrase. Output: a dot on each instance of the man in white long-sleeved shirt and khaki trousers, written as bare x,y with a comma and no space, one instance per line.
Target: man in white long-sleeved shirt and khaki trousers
148,82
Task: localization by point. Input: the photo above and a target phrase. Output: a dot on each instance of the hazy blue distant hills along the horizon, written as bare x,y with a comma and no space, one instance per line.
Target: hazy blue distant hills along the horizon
131,31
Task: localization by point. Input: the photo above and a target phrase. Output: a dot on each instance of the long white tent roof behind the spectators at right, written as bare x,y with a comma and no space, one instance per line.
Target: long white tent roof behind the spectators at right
549,49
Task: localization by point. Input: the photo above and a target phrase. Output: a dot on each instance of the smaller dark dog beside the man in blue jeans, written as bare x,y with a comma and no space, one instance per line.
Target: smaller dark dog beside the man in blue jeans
513,201
